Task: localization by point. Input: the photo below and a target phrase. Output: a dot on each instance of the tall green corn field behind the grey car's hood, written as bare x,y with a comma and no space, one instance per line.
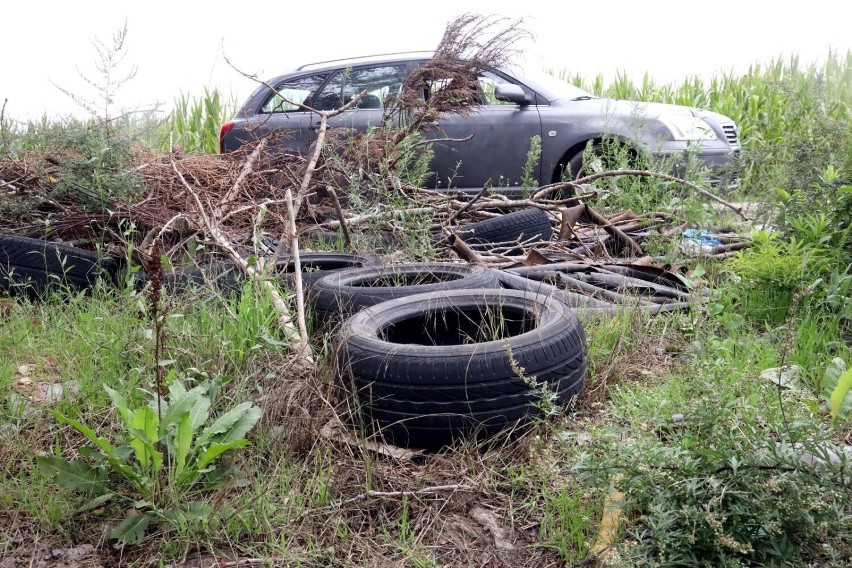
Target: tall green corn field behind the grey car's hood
793,118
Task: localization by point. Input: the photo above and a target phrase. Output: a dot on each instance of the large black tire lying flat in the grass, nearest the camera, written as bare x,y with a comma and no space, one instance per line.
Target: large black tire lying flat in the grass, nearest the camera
432,368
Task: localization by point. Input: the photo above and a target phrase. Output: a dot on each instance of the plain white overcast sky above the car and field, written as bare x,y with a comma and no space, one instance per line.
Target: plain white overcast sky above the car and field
178,46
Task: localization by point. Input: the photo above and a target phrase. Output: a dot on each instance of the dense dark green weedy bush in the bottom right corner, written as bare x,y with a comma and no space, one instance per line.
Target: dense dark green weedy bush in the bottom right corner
716,493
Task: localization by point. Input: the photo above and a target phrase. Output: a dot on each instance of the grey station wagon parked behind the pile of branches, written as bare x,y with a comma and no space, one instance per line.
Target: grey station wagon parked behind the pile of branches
516,107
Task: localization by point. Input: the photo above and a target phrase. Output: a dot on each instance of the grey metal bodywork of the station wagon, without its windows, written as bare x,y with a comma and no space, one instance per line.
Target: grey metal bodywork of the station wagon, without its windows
566,118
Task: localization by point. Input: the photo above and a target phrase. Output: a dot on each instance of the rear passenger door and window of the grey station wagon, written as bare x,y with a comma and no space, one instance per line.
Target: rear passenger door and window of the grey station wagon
378,82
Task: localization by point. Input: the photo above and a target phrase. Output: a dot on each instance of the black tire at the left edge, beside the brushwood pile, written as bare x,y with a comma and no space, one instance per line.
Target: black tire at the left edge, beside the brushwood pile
34,267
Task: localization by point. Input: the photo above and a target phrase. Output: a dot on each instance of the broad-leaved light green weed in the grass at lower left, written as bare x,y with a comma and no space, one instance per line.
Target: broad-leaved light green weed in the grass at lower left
171,453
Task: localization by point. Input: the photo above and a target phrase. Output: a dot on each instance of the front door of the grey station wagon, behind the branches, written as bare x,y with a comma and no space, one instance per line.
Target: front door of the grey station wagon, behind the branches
498,136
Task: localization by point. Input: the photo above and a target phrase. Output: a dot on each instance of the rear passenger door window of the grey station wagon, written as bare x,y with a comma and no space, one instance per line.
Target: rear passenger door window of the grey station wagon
380,82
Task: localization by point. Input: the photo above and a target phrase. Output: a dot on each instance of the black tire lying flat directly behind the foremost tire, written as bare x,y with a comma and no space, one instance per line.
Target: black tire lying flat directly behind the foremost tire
343,293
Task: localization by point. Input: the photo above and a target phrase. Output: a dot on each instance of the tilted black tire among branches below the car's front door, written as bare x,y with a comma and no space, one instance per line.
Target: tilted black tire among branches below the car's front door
523,225
